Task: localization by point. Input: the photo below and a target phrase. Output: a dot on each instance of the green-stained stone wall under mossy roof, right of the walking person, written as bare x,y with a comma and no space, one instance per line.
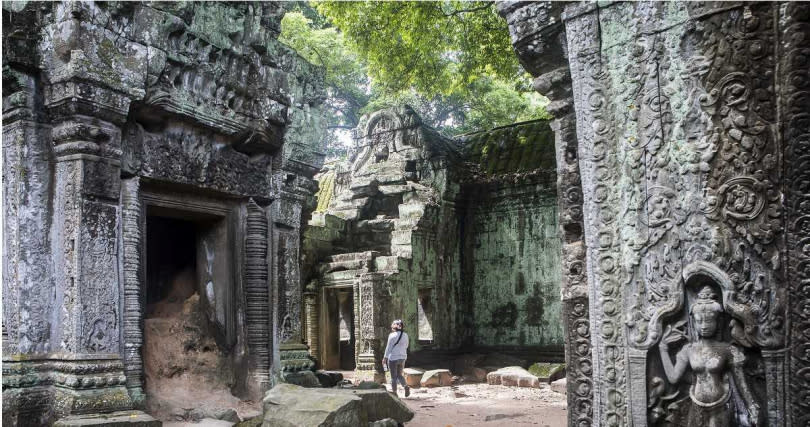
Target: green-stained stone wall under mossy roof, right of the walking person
512,249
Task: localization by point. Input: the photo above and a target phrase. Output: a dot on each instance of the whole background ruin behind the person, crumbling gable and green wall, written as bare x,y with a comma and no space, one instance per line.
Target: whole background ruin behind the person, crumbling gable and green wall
456,237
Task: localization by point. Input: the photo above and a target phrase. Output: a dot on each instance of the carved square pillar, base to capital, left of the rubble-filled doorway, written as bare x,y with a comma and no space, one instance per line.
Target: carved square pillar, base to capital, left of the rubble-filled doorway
85,229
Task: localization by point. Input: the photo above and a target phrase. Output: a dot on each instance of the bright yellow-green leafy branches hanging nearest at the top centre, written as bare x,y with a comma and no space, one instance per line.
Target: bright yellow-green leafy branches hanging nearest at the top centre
435,47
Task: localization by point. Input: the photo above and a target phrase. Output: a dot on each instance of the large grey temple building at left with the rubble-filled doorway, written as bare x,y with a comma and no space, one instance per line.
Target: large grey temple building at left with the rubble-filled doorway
157,158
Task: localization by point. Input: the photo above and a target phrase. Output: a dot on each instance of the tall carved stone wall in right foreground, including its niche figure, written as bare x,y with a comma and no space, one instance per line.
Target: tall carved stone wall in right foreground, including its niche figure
682,143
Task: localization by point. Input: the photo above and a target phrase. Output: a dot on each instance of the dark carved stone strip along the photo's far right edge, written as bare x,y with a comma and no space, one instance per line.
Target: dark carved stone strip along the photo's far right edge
794,90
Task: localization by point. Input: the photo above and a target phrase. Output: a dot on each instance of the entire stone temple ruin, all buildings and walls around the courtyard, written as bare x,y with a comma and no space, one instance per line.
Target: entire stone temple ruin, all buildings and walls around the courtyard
161,222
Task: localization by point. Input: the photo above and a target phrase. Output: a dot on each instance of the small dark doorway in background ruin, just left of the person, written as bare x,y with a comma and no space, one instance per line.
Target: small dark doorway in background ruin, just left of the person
338,329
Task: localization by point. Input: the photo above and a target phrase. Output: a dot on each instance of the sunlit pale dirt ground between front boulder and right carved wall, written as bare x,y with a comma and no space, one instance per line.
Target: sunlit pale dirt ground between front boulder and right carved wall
485,405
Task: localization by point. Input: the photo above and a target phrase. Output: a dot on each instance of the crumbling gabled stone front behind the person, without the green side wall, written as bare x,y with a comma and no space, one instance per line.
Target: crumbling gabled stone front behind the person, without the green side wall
386,227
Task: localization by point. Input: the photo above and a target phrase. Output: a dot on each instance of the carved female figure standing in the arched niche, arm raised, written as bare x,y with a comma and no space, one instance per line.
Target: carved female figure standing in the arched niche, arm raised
717,367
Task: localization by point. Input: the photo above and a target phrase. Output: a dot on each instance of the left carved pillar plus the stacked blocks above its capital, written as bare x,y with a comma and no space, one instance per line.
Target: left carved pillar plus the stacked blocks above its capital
88,97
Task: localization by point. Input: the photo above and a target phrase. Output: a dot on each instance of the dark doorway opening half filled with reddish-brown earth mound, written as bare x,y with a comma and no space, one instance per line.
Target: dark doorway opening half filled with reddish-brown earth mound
191,364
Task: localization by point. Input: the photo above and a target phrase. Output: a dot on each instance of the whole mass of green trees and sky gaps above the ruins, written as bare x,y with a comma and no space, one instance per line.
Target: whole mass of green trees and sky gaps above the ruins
450,60
